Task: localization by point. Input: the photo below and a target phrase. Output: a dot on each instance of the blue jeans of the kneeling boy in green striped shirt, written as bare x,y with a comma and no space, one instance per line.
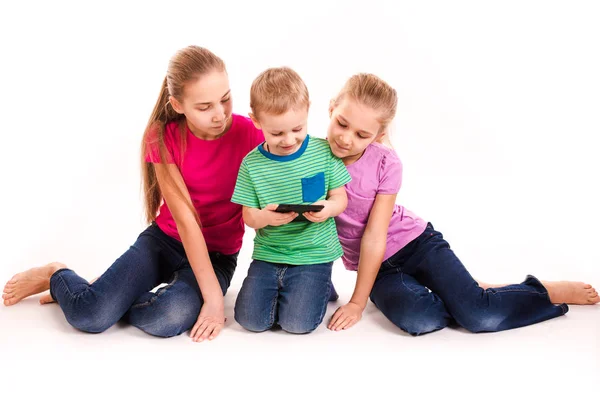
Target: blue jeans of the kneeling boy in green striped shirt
293,296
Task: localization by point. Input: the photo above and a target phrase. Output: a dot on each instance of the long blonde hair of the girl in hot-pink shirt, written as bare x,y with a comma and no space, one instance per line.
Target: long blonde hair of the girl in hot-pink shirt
187,65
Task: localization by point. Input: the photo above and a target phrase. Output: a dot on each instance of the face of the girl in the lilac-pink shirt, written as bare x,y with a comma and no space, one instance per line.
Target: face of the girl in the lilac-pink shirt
352,128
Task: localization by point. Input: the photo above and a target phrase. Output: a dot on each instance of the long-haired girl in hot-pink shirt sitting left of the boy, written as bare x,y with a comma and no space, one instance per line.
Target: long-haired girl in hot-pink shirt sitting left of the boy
192,149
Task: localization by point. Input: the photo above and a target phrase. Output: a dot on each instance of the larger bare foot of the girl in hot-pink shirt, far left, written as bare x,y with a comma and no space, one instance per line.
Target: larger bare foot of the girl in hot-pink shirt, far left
30,282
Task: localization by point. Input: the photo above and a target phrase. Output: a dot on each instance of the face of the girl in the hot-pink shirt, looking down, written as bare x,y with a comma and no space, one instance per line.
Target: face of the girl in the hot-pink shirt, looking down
207,105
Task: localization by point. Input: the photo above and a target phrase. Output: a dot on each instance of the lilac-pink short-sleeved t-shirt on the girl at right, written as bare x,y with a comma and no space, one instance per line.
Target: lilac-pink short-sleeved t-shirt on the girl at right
378,171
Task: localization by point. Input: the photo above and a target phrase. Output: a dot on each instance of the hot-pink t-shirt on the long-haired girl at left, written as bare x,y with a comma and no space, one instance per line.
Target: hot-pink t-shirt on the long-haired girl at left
209,170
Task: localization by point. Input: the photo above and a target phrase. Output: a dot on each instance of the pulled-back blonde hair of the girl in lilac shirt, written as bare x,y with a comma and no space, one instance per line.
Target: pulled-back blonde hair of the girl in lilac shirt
374,92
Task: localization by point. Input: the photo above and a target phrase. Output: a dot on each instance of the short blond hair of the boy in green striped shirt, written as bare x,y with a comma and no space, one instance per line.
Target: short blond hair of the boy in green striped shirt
277,90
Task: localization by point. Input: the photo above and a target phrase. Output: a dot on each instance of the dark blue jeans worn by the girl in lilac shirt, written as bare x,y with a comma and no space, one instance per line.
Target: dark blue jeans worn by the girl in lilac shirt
424,287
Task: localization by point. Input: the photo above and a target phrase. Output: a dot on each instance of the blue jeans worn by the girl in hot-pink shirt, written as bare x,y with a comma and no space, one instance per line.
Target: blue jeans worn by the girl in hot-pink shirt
123,291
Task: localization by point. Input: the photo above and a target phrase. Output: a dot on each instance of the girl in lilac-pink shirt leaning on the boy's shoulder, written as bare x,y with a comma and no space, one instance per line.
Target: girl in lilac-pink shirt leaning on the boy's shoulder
404,265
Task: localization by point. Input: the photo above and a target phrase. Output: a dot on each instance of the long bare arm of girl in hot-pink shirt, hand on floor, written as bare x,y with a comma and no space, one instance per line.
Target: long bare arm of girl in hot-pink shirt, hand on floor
212,314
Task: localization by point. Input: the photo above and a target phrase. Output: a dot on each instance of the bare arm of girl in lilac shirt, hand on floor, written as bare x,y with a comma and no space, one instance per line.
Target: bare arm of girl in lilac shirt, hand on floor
372,250
